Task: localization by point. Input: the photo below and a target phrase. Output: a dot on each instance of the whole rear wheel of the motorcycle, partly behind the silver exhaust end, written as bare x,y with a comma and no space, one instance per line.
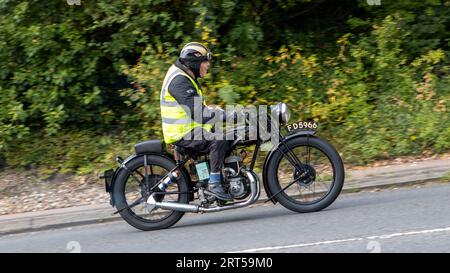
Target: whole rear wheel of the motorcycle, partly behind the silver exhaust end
132,189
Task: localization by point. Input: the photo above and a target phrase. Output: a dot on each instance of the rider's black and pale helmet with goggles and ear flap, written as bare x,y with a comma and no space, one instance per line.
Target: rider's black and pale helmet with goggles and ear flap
193,54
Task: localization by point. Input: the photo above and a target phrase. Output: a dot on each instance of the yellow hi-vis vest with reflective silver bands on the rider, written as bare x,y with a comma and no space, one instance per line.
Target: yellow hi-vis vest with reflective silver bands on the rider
175,121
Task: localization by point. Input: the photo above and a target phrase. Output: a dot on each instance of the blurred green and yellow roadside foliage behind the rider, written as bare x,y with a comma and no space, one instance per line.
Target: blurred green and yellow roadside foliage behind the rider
80,83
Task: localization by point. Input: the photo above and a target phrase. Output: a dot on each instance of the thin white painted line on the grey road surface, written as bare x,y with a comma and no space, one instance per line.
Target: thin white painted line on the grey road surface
386,236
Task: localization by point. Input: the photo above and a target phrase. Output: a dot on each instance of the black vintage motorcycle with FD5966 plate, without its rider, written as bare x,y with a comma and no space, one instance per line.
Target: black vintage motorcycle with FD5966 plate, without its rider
302,172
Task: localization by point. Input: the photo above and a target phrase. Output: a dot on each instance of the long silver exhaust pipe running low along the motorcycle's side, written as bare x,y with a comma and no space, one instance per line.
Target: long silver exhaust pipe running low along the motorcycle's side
255,192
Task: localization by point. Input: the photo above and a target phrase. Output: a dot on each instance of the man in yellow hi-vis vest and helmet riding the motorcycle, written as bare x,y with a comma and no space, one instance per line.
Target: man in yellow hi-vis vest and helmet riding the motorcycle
181,100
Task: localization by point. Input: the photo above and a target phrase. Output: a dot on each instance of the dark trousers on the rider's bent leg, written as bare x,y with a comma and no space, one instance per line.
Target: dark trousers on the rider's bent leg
217,149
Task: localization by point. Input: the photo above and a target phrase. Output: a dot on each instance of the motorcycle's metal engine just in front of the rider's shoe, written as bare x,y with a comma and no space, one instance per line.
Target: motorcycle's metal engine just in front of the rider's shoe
235,181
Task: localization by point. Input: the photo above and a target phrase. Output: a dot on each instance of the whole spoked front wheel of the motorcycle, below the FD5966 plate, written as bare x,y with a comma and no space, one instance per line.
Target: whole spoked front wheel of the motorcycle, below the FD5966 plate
317,180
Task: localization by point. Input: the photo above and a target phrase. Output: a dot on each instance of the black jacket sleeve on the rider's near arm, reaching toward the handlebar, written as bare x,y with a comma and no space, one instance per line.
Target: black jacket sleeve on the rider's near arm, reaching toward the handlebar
184,92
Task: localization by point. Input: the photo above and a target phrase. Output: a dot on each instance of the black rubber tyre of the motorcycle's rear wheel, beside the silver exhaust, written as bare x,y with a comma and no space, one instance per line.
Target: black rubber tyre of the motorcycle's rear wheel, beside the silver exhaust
119,194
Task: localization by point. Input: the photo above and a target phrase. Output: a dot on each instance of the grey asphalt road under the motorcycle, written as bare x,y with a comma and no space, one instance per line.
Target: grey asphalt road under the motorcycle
415,219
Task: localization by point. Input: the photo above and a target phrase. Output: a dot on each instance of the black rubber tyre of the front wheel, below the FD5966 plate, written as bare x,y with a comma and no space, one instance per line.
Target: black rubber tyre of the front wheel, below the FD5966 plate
337,180
